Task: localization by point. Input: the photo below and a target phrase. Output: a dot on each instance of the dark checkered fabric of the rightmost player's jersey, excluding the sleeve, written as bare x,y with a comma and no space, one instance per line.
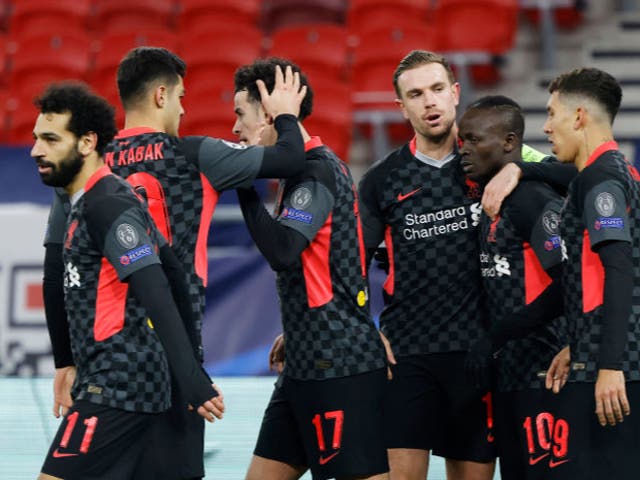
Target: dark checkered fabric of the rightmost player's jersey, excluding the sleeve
585,327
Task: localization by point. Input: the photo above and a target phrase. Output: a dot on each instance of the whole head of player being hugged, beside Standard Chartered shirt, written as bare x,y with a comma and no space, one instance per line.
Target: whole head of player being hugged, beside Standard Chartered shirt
490,133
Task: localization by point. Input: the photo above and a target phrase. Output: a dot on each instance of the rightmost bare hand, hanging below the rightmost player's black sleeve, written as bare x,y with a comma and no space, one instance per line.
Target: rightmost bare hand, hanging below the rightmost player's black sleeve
612,404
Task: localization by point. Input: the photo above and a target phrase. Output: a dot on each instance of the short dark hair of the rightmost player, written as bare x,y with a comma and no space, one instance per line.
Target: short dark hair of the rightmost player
592,83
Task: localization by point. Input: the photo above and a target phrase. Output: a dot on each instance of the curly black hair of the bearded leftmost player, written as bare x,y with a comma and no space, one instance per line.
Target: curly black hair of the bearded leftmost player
89,112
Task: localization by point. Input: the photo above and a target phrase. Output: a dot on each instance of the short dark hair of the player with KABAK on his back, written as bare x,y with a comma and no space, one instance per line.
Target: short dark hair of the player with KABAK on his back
144,65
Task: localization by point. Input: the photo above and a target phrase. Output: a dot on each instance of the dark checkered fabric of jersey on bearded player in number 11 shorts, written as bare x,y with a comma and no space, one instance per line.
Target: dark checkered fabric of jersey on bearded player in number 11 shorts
127,370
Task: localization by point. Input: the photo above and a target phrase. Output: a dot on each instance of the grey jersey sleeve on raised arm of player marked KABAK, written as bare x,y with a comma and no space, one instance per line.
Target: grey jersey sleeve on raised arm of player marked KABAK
228,165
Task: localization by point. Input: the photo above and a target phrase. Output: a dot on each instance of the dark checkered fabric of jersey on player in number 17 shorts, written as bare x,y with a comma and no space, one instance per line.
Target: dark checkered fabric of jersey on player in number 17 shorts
338,338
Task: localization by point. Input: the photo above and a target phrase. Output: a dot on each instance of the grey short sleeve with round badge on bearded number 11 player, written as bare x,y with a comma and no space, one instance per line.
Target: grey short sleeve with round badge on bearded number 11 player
124,237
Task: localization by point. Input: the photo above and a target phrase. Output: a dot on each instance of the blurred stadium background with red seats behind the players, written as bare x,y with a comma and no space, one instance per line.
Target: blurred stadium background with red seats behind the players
349,50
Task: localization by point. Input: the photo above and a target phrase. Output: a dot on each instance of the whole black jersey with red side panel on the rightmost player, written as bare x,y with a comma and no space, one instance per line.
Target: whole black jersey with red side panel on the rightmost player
603,204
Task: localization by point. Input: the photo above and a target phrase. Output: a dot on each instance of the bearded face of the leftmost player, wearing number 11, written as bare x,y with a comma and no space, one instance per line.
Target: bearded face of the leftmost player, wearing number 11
55,150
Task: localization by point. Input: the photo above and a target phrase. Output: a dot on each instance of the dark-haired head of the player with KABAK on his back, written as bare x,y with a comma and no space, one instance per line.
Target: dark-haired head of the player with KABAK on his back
151,79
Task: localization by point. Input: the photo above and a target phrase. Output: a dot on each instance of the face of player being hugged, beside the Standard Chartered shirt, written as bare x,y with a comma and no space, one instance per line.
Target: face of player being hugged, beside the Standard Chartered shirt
483,142
